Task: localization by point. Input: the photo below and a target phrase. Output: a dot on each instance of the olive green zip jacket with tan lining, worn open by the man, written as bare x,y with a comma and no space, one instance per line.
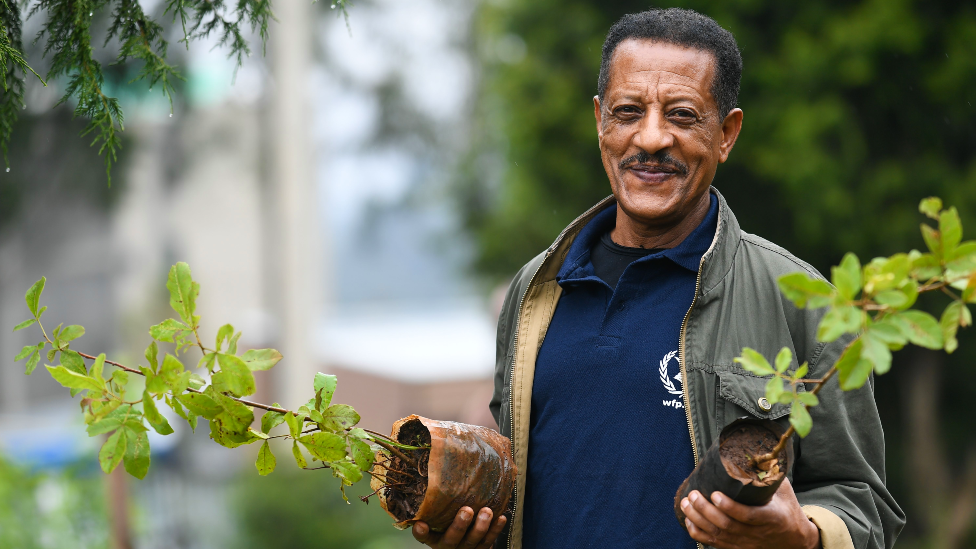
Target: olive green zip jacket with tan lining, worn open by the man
839,473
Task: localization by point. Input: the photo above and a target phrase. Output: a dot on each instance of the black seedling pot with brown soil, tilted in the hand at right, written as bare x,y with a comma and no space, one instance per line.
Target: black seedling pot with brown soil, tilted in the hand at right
727,466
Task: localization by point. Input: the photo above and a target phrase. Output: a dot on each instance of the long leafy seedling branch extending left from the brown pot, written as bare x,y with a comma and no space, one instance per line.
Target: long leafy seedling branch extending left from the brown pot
217,396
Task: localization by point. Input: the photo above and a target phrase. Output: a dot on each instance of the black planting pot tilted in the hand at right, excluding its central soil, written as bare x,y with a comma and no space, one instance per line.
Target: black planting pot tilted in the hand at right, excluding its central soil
713,474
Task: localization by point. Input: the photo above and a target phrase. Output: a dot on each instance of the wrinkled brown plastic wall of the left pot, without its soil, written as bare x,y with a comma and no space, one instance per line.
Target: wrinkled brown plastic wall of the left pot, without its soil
468,465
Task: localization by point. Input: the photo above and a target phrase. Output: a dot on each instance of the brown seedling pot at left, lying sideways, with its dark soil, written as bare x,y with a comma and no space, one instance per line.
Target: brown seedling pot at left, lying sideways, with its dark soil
465,465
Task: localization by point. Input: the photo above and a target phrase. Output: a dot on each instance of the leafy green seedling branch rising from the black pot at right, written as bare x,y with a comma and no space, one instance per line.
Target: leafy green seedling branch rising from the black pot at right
874,302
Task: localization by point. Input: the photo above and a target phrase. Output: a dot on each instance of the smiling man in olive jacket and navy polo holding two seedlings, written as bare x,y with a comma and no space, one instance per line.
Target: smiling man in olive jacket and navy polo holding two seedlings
615,346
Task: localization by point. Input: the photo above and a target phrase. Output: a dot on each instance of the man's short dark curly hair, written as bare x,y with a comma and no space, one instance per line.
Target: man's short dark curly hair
686,28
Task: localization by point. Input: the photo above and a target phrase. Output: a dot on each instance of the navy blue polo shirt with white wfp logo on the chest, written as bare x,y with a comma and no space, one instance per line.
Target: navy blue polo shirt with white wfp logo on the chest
609,442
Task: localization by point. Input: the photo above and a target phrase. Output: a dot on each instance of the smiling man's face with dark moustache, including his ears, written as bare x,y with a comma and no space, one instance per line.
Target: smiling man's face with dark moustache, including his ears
661,135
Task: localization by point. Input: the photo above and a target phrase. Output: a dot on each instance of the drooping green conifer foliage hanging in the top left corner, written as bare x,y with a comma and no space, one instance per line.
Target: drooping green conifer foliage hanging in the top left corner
67,35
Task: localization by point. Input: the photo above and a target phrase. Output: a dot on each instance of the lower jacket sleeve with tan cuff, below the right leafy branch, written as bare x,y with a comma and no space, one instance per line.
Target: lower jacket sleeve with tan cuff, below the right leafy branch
840,468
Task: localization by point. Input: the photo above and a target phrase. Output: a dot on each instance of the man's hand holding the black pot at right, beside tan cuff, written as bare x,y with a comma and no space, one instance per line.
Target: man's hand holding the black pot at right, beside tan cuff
725,524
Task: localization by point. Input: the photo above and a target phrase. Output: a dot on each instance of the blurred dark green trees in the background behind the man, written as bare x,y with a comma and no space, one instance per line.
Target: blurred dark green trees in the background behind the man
853,112
